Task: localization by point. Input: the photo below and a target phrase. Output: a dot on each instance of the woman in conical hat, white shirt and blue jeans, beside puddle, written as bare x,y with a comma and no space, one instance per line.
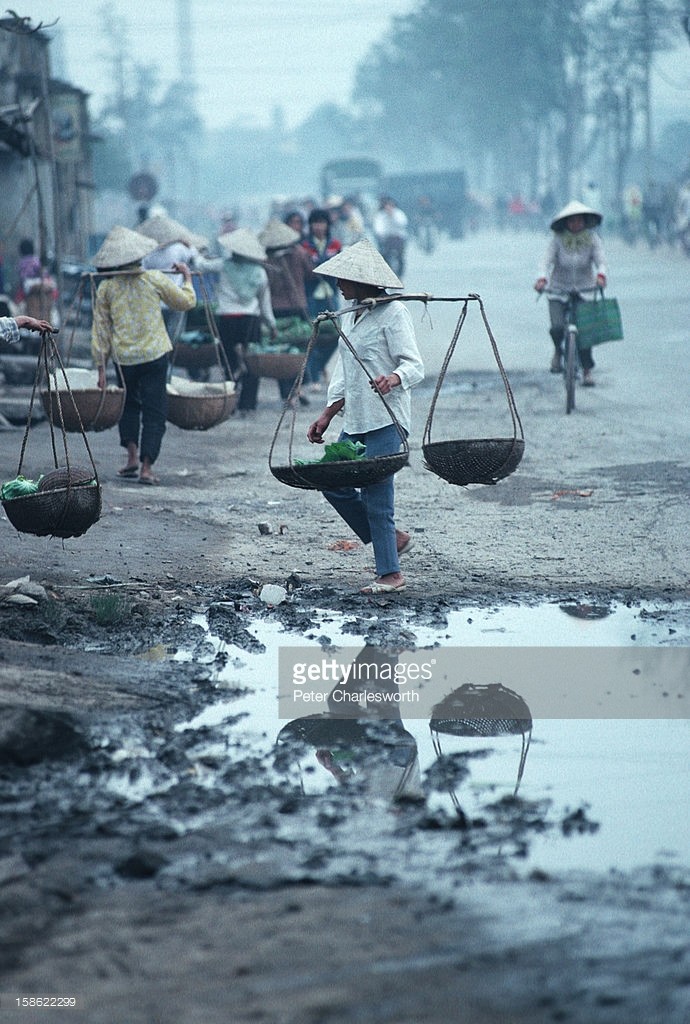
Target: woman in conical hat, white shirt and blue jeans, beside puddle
383,337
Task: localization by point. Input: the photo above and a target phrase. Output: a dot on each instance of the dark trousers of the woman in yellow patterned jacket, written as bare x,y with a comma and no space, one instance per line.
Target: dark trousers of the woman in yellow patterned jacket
144,418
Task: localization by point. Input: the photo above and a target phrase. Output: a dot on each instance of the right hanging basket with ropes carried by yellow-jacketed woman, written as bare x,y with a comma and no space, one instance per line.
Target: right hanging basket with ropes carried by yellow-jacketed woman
205,410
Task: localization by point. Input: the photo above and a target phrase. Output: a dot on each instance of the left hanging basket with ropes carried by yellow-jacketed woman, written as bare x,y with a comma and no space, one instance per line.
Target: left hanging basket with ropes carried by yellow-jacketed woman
87,409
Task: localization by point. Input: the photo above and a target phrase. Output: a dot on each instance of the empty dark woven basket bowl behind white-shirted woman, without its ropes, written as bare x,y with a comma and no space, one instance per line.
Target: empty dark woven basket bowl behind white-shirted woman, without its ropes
475,461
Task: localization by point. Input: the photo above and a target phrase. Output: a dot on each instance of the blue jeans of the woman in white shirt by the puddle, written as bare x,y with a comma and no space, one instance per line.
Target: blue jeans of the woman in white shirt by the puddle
370,511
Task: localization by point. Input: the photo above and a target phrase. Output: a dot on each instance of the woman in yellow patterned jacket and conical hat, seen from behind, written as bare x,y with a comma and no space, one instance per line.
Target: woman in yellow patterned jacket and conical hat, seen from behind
128,326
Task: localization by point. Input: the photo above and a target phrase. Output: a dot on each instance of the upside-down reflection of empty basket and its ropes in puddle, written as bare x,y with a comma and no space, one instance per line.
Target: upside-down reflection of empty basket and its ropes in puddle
481,711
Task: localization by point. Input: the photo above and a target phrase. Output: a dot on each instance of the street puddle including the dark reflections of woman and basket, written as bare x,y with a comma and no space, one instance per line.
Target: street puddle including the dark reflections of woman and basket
616,786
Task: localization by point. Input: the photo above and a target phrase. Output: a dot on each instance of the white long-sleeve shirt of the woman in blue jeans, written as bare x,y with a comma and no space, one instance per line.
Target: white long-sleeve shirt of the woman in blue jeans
384,339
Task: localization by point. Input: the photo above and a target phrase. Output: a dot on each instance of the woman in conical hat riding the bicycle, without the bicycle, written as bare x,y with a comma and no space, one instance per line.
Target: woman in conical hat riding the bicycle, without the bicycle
575,260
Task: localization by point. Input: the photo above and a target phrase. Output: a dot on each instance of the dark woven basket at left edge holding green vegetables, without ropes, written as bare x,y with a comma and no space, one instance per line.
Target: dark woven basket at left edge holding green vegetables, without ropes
61,511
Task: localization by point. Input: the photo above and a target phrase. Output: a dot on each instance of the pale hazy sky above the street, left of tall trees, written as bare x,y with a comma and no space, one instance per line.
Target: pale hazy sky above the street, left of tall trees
249,56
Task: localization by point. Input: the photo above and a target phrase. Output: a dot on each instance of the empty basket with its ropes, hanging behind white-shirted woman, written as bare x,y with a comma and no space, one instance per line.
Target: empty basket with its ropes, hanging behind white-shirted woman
483,460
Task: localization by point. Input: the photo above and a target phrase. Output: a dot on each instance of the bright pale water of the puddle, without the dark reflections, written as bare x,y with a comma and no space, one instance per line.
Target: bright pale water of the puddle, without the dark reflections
626,782
